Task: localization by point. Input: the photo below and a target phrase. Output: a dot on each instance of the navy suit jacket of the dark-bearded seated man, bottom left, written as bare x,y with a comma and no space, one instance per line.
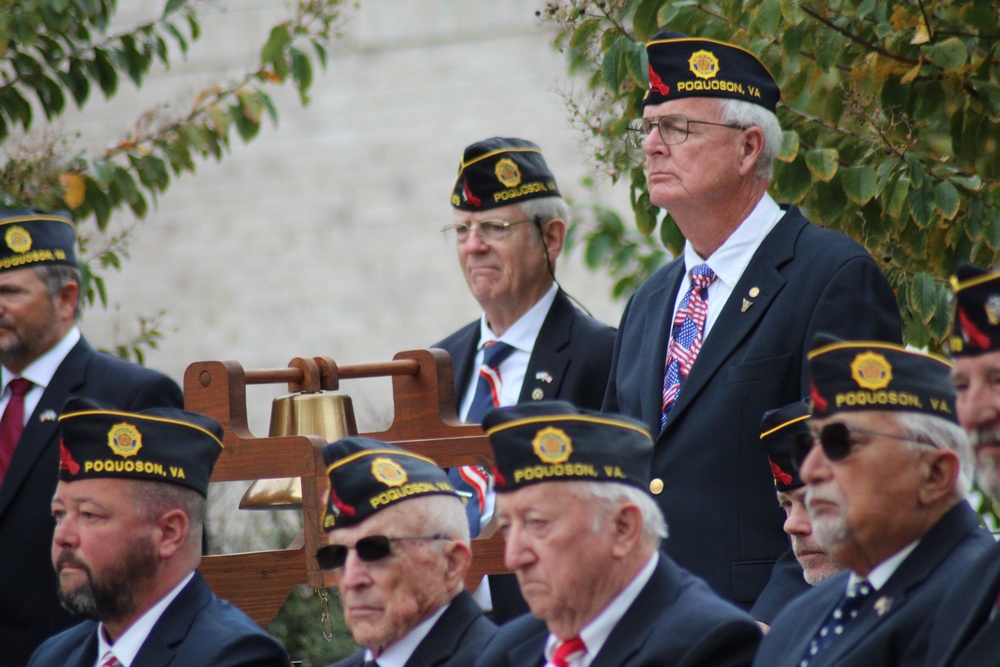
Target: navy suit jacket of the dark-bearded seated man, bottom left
196,630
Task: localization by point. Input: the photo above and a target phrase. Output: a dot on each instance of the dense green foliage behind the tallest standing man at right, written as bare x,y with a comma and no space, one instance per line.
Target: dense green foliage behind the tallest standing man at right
891,113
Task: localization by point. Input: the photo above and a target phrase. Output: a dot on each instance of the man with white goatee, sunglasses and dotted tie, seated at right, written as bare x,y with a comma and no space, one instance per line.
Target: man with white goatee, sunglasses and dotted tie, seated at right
886,471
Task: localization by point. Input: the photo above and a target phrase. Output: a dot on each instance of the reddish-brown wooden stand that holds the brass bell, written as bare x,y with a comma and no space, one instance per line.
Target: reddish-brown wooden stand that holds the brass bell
424,422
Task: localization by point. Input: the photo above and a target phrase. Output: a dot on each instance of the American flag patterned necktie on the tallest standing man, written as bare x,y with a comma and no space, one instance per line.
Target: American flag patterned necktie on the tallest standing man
686,336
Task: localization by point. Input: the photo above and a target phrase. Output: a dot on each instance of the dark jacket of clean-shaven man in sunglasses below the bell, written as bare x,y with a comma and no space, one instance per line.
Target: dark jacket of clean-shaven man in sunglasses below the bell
455,640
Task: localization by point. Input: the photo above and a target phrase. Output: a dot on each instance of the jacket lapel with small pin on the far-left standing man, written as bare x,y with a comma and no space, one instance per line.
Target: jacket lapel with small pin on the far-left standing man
38,433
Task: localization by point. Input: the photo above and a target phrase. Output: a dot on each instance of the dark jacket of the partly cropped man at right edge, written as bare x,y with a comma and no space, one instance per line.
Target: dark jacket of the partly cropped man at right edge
959,634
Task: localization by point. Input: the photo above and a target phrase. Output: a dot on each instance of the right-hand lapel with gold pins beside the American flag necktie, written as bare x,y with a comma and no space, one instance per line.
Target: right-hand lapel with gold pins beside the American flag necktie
762,279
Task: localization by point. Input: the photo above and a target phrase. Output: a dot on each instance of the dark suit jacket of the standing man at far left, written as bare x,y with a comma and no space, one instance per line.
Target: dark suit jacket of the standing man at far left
29,608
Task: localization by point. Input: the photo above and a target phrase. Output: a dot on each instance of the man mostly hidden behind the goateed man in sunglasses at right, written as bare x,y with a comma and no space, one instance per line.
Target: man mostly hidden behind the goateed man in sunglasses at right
780,429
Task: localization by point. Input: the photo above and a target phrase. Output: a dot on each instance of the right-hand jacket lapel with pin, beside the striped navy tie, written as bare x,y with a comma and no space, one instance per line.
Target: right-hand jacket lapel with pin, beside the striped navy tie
547,367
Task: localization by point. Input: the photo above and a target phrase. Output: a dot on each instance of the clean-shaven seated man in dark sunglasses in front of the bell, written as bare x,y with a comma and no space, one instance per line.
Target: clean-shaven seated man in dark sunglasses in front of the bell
399,543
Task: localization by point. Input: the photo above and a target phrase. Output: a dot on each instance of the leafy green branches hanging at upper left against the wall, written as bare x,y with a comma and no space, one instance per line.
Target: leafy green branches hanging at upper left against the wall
52,51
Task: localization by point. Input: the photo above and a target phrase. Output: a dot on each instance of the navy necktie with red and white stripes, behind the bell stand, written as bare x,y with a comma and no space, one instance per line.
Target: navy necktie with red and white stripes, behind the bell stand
472,481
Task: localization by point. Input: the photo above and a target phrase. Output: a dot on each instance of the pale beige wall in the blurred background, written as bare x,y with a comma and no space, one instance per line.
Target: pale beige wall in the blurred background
321,236
